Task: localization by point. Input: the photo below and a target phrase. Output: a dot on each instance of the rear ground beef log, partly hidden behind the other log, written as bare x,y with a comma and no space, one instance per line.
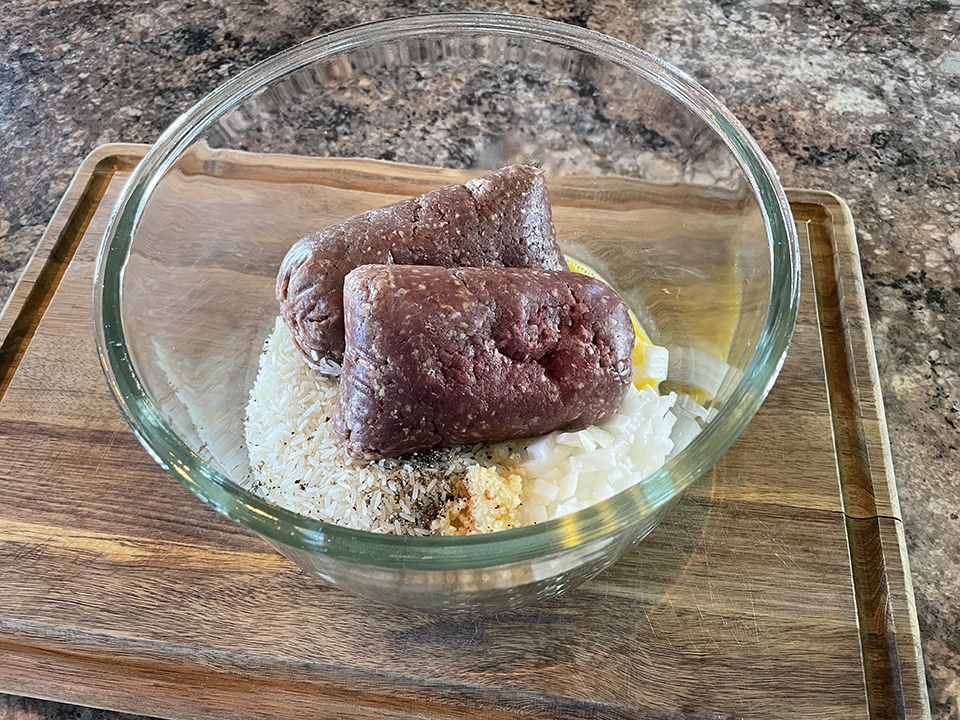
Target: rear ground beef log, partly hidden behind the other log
501,219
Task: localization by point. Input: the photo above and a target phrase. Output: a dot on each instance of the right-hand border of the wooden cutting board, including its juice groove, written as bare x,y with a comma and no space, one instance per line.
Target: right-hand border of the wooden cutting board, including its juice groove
890,634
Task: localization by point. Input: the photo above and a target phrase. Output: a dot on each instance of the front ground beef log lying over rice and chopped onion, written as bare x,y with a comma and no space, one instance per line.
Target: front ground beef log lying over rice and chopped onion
444,357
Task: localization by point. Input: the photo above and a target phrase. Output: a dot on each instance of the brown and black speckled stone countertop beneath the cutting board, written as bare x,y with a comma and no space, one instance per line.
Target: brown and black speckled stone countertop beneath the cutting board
862,99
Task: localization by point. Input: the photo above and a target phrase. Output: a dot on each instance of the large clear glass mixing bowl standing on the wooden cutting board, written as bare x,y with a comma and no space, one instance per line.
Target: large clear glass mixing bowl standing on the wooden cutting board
654,185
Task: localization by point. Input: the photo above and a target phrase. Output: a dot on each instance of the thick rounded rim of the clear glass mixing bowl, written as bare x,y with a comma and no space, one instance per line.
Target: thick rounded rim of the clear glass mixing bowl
593,524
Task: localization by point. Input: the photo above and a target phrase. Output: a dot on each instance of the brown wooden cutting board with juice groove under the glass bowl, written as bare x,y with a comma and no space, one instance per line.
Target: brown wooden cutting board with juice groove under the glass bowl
778,588
